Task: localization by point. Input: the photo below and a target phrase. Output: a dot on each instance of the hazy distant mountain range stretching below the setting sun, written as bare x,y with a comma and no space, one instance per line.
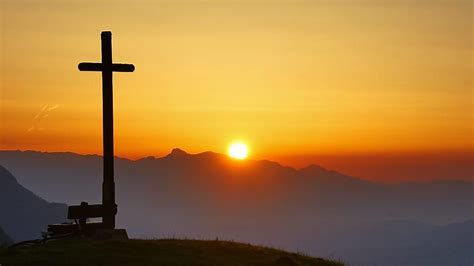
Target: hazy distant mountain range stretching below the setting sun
207,195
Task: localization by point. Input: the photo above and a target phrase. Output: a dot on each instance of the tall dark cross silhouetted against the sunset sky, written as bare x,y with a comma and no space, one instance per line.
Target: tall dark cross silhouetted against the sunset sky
107,68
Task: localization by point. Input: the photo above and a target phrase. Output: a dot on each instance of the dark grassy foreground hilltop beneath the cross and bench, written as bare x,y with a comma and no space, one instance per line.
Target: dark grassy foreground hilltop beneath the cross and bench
152,252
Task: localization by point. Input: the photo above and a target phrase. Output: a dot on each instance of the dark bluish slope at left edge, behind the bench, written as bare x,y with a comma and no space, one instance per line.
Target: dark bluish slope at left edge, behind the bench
23,215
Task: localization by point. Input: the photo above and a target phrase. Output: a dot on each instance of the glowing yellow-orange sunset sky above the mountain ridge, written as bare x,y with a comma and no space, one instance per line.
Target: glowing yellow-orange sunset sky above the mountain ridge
351,85
